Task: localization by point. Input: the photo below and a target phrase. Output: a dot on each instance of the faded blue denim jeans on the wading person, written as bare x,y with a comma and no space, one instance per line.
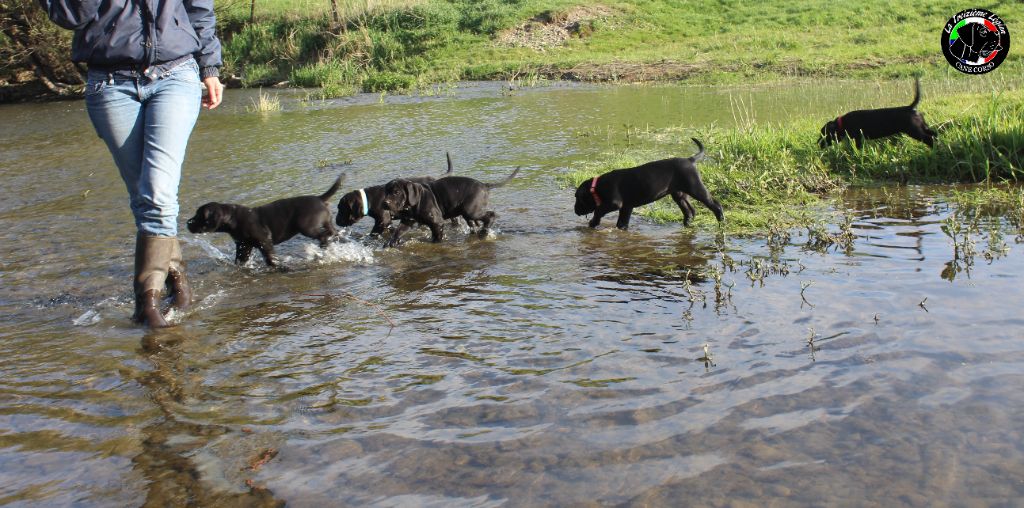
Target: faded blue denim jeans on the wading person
146,124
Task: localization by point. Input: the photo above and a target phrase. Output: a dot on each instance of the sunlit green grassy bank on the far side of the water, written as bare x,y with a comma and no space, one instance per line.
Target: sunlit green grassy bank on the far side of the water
404,45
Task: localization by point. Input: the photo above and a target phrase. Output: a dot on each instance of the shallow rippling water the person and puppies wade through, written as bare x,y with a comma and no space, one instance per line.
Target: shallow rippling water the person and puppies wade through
545,365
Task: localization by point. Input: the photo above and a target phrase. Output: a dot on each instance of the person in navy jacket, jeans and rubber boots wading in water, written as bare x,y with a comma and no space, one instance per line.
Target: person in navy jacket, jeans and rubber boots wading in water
147,61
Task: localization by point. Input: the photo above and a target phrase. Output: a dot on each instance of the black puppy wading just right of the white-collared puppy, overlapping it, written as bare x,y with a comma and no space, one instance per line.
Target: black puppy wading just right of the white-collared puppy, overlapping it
433,204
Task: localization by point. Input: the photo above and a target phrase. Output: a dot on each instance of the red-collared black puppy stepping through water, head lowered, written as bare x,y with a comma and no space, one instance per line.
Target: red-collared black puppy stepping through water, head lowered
625,190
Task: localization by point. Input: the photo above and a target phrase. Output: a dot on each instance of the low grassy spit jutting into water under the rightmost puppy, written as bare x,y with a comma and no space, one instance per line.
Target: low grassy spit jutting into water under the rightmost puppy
772,178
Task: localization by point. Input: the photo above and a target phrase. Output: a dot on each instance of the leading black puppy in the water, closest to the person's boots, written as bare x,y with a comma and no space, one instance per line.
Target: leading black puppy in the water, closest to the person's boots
270,225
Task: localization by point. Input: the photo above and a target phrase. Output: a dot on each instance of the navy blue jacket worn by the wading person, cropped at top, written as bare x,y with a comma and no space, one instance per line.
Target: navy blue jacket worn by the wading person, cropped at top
110,33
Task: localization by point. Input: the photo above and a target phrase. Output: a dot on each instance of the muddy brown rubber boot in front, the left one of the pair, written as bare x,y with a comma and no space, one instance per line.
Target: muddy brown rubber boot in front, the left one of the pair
153,258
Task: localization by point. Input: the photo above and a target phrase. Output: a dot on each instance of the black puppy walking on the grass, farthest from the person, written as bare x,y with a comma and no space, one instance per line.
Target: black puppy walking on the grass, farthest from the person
873,124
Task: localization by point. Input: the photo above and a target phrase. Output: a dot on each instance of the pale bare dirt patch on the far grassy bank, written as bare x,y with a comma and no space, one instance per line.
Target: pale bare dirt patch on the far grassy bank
551,29
